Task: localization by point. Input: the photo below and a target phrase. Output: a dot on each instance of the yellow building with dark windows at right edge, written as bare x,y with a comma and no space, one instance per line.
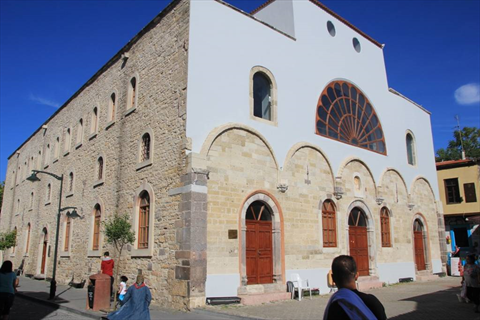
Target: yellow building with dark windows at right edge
459,184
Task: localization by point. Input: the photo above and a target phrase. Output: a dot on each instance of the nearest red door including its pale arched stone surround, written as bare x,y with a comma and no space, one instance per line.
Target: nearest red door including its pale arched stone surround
262,259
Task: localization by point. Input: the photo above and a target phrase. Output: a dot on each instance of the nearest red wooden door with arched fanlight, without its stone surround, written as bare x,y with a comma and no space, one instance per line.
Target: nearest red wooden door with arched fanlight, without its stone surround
259,246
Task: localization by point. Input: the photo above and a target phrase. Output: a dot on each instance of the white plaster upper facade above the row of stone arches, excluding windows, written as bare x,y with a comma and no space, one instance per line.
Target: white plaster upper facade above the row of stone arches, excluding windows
225,44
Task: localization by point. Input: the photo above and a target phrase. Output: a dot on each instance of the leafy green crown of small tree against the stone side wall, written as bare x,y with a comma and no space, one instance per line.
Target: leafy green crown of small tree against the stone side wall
118,231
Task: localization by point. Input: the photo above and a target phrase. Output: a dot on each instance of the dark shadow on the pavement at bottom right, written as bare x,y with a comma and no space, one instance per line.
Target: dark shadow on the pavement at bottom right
439,305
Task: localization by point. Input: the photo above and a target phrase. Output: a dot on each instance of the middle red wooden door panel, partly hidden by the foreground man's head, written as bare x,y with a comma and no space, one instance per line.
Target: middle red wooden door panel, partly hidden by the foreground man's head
359,248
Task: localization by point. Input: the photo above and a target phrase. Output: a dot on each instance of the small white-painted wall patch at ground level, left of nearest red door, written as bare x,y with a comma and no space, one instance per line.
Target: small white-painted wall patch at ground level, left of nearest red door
222,285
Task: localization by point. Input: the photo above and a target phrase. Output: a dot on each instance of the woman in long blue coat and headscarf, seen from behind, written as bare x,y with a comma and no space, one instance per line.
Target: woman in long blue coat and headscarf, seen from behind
136,303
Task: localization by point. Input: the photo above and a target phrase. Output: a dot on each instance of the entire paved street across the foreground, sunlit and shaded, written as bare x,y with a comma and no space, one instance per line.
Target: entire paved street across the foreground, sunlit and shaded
418,300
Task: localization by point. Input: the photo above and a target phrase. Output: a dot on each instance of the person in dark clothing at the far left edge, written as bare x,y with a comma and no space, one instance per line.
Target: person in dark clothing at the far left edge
8,288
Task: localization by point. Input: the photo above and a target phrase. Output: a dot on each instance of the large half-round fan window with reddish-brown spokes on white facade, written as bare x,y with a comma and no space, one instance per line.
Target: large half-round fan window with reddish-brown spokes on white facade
345,114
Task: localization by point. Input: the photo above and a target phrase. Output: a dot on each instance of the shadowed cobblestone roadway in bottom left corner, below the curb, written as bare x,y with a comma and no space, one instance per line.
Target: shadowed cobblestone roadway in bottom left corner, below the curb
24,309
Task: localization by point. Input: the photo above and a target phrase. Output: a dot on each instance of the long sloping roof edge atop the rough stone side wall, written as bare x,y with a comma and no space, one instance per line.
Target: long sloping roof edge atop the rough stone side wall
106,66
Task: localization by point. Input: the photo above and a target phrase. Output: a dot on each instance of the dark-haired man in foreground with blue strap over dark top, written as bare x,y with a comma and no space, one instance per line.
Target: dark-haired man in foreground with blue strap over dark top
348,302
